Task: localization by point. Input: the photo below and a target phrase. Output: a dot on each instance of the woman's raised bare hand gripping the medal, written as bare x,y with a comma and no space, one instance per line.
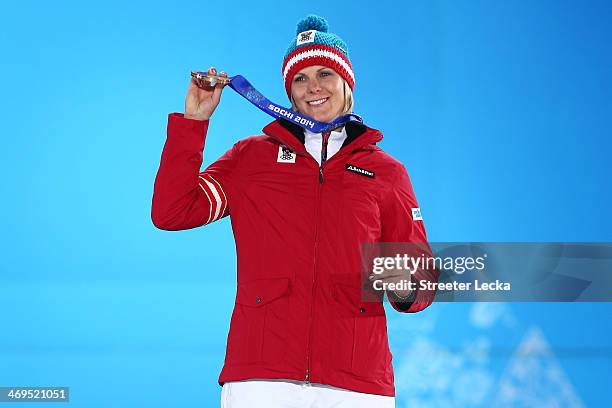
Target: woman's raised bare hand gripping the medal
200,103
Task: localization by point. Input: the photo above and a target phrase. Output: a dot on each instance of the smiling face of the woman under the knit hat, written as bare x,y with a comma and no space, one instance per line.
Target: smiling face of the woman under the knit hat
318,92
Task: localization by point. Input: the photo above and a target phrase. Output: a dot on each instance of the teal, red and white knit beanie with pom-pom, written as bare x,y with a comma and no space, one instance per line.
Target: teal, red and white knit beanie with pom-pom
313,45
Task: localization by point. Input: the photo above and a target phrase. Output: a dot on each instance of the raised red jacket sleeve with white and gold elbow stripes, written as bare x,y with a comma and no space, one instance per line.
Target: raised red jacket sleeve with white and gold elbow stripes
184,197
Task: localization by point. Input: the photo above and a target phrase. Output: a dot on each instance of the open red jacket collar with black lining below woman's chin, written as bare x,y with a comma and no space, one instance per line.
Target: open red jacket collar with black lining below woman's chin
288,133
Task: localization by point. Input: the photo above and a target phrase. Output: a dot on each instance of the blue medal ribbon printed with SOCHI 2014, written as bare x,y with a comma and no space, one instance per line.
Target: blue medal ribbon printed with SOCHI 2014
239,84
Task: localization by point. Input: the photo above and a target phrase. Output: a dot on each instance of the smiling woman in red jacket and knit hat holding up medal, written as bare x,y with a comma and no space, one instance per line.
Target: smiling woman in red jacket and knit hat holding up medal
301,205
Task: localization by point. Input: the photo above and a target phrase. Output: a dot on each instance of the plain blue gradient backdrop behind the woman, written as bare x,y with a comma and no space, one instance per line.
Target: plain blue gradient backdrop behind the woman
499,110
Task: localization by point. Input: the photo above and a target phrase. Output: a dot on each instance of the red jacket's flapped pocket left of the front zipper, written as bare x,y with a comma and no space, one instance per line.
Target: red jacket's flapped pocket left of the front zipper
257,330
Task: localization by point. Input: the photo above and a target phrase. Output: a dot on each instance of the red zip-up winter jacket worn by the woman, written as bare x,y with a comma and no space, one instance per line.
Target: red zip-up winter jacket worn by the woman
298,229
